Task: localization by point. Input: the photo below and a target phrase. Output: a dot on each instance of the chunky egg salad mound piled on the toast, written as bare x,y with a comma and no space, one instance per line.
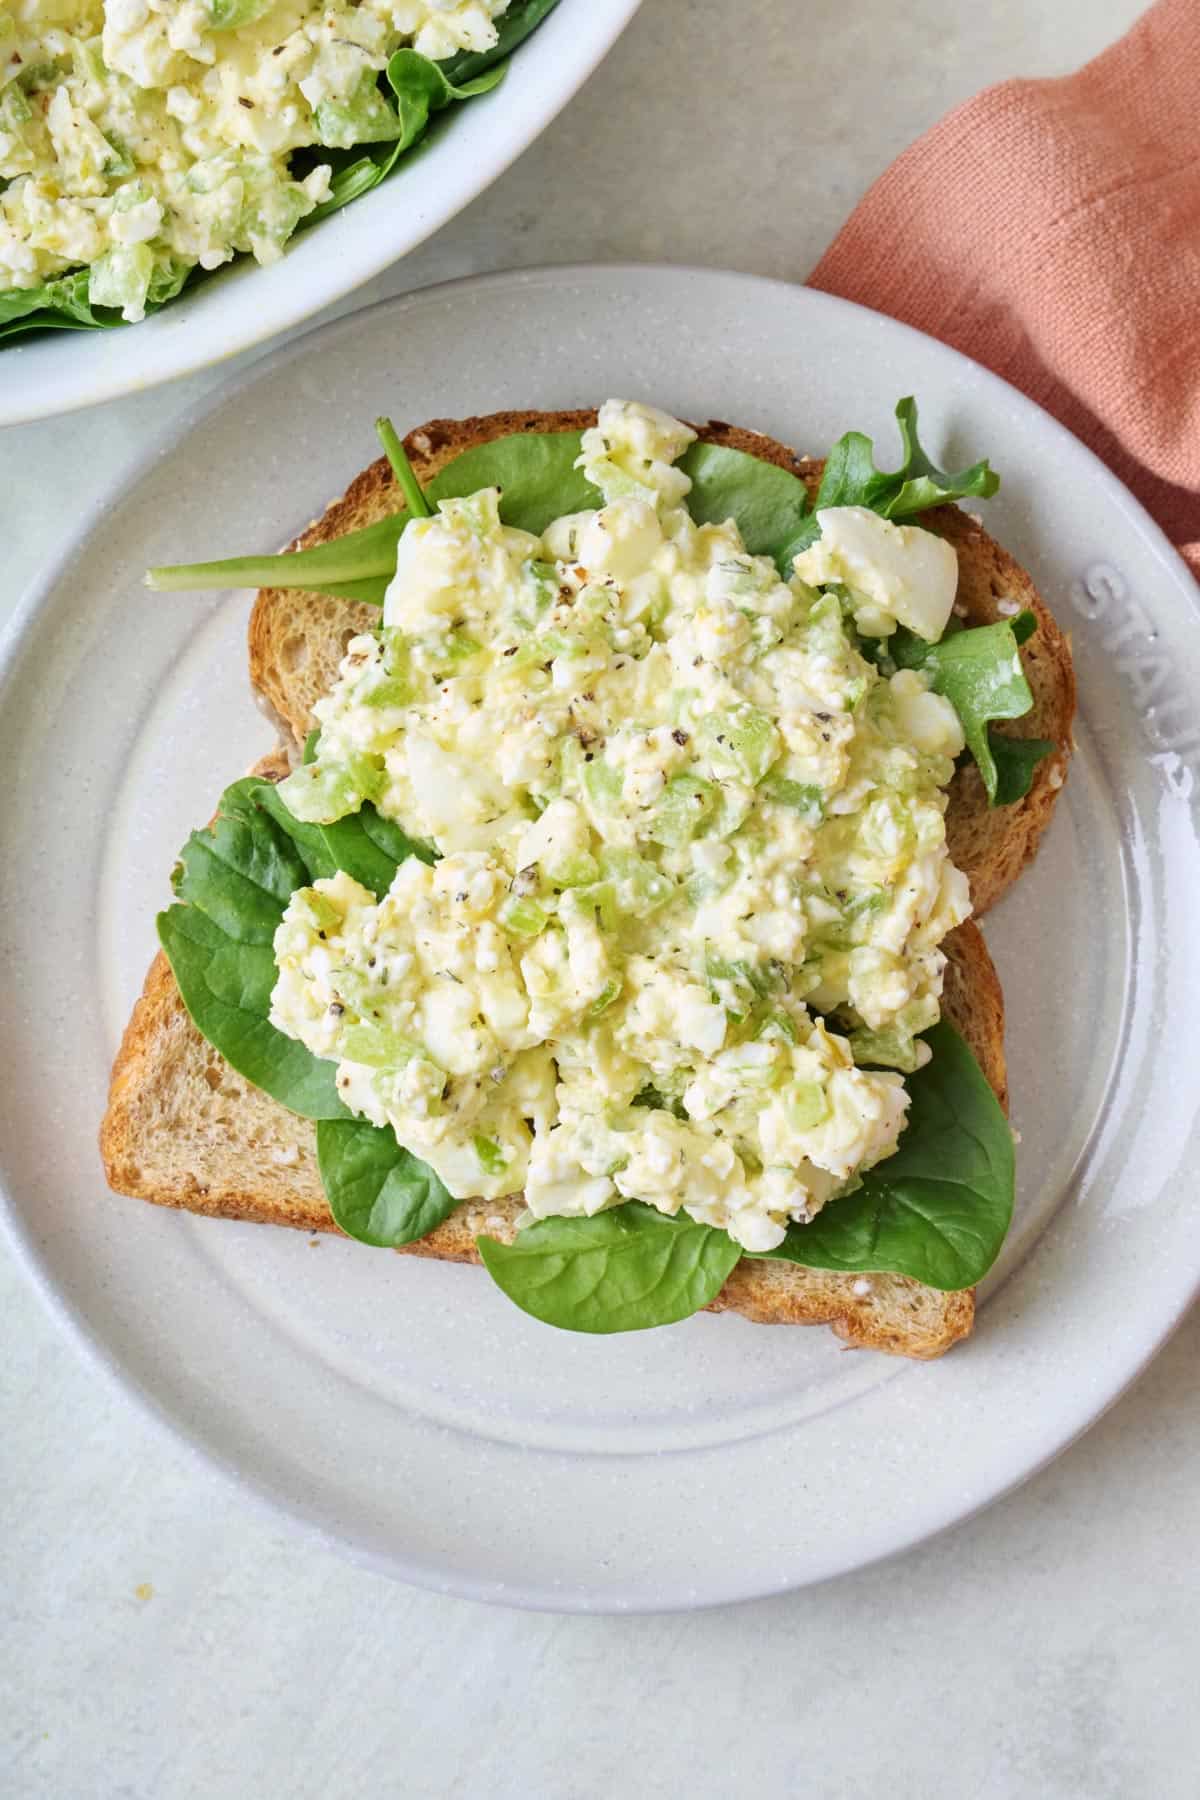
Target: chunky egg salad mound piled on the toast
686,885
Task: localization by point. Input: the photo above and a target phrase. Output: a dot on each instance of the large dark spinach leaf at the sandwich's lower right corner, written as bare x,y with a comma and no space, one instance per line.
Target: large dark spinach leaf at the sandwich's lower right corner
942,1205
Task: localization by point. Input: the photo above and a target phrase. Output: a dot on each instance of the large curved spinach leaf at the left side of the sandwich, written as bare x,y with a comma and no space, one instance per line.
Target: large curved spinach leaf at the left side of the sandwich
233,885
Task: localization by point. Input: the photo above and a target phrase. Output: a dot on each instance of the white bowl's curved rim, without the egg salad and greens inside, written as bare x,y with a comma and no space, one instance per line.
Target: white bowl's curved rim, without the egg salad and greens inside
469,150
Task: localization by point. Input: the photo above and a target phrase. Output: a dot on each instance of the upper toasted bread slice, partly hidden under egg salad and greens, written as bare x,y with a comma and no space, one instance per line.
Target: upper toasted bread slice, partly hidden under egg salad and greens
298,640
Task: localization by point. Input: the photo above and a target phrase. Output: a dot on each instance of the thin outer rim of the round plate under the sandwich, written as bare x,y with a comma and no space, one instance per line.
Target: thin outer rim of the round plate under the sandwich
67,1313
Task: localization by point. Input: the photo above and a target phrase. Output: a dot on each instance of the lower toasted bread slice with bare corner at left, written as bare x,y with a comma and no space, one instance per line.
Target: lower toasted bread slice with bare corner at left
184,1129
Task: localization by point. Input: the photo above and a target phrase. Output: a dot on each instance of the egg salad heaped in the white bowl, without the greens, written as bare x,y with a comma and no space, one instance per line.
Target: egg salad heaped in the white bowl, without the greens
145,138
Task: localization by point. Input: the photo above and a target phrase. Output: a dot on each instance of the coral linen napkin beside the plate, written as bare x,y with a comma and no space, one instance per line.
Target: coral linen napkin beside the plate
1052,229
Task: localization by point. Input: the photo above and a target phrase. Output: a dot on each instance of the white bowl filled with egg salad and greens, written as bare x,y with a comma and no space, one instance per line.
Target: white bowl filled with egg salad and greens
183,179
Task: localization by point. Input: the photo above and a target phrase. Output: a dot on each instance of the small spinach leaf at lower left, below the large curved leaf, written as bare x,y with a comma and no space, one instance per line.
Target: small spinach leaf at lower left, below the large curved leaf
379,1192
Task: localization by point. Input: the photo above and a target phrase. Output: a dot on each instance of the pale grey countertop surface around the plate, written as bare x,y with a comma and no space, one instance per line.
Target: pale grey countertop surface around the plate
163,1639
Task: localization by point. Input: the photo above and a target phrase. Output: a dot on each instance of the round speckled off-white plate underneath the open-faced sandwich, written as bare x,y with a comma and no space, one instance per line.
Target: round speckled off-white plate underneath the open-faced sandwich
406,1408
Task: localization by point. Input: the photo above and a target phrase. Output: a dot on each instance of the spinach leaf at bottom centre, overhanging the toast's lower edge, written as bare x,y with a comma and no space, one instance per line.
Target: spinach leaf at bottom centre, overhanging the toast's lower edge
622,1272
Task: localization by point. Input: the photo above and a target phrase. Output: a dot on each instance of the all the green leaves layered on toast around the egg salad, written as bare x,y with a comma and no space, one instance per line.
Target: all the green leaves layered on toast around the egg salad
936,1210
